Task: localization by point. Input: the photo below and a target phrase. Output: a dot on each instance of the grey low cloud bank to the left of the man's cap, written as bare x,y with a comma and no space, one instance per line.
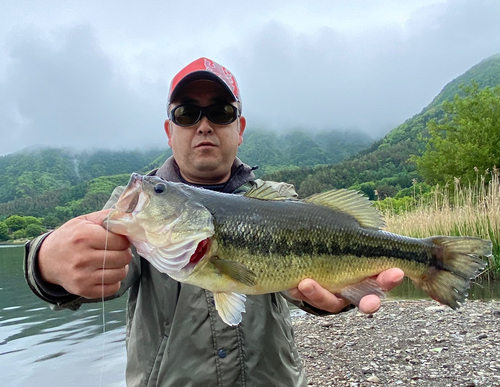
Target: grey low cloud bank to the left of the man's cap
67,93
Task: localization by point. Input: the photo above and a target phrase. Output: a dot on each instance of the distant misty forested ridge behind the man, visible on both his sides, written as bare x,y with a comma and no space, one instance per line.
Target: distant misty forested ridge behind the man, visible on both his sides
59,184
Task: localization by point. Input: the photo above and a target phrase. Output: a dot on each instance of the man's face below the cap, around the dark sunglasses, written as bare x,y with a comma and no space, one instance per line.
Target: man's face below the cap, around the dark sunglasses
204,151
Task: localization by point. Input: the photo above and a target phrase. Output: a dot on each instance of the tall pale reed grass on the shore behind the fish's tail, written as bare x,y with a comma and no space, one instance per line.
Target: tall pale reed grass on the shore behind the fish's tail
460,210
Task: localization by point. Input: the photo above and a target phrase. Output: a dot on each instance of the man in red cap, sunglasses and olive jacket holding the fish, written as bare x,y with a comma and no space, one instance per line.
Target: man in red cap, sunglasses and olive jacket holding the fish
174,334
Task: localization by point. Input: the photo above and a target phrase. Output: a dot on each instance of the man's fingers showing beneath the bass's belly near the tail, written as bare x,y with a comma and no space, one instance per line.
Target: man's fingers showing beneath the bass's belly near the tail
311,292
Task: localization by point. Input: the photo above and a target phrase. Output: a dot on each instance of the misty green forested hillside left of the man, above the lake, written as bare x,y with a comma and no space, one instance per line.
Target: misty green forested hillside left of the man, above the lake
61,183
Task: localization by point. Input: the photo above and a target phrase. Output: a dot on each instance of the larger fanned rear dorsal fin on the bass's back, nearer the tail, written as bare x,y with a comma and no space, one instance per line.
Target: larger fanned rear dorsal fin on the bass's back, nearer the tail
351,203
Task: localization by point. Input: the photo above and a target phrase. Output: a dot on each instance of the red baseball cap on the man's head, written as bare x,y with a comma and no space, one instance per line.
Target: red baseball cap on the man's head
204,68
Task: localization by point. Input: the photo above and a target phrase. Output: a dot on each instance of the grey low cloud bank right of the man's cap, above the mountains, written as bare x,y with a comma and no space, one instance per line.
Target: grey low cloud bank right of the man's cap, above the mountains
372,80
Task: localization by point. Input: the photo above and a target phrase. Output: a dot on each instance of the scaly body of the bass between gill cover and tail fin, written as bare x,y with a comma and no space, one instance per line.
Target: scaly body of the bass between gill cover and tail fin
283,242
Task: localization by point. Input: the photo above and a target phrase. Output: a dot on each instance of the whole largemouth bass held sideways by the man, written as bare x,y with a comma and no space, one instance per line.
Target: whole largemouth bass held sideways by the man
261,243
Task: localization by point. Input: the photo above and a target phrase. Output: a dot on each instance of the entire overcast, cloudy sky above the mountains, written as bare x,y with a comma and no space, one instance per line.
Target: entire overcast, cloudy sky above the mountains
96,73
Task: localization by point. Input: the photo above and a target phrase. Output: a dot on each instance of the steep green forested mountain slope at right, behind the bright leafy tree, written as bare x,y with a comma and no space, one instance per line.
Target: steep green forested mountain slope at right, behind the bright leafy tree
385,167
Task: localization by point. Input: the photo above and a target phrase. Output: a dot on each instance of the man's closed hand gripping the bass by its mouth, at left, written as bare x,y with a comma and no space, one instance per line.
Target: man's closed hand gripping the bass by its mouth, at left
73,257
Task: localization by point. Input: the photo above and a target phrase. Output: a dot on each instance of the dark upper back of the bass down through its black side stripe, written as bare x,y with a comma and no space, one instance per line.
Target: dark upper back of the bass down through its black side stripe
286,228
